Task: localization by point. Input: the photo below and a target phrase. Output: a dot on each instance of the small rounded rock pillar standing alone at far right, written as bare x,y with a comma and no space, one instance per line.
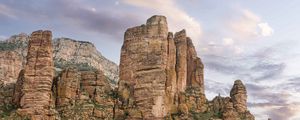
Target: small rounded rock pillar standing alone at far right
238,95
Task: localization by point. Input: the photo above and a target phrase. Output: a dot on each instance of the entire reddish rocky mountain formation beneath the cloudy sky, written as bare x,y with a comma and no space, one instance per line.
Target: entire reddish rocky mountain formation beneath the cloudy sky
161,78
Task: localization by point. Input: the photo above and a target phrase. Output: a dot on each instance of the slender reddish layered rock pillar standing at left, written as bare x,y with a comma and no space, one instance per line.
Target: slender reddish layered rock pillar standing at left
38,76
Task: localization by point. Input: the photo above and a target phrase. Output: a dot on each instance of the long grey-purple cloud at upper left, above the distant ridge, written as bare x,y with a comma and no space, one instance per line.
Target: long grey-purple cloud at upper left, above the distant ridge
77,17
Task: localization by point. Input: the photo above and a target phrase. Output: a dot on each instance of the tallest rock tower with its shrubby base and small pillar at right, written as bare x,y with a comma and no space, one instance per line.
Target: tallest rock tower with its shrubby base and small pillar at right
161,77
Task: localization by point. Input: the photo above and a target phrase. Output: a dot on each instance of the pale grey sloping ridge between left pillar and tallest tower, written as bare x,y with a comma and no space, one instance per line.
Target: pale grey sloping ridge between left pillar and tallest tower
67,51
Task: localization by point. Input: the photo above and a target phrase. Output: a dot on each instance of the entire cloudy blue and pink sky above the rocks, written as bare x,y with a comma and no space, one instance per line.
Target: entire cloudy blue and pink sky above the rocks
256,41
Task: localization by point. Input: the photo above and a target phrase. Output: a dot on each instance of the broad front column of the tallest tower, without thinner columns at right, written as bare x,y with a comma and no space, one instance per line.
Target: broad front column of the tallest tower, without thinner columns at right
143,67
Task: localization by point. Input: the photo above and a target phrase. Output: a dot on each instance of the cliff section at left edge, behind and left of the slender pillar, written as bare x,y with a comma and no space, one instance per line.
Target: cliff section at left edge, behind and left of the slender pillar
13,54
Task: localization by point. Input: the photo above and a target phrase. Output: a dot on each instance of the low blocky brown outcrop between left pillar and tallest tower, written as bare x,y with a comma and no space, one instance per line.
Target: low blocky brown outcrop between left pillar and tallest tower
83,95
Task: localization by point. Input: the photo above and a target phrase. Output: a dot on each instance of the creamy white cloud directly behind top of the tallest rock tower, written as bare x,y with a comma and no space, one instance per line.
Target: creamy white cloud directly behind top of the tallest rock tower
178,19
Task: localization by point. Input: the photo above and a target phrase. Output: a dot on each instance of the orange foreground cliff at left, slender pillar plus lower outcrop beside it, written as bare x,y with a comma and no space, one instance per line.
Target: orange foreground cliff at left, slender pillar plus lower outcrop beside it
39,95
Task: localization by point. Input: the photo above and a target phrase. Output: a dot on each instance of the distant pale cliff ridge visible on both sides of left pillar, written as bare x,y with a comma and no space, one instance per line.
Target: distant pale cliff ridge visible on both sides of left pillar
66,52
